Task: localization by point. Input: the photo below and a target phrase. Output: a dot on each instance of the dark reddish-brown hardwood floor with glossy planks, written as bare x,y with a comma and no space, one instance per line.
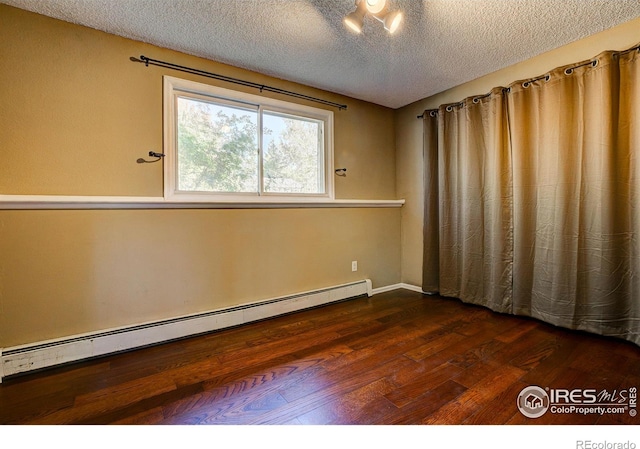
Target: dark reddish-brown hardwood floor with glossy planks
395,358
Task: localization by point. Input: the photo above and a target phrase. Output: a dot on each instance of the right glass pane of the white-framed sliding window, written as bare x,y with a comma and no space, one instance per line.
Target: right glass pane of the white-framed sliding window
293,154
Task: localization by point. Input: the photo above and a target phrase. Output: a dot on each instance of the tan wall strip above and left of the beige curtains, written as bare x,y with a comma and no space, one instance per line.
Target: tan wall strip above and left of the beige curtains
408,130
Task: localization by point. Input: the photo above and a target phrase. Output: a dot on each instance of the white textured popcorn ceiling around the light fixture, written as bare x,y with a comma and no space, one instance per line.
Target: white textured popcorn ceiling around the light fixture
441,43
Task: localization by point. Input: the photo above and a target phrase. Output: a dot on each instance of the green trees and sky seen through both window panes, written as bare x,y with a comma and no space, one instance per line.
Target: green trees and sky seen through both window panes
218,150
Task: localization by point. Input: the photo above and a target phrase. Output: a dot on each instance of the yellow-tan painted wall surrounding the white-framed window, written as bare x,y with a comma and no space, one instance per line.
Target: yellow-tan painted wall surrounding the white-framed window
76,114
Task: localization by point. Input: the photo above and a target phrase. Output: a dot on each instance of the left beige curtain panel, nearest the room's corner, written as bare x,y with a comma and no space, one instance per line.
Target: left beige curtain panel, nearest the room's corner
475,201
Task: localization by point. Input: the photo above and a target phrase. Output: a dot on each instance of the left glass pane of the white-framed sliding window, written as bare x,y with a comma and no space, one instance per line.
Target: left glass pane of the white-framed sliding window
217,147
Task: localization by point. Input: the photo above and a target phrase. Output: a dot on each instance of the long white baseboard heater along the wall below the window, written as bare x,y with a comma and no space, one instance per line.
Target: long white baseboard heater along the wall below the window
24,358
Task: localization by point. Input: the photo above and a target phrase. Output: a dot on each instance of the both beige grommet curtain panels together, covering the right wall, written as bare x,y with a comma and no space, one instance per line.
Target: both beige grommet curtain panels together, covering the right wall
539,197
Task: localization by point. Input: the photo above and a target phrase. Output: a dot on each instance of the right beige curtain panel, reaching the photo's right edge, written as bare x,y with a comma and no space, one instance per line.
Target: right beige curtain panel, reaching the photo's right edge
576,186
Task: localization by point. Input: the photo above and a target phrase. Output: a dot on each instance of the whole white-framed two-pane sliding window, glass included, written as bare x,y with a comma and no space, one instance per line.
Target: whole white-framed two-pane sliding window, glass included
223,145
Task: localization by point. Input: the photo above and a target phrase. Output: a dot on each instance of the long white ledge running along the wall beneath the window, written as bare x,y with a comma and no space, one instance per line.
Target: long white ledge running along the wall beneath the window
58,202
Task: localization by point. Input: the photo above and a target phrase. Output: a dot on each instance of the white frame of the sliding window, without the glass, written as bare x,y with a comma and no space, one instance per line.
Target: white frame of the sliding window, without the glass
176,87
